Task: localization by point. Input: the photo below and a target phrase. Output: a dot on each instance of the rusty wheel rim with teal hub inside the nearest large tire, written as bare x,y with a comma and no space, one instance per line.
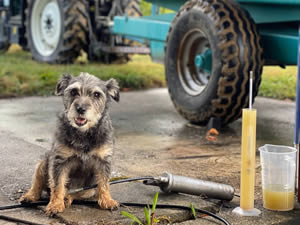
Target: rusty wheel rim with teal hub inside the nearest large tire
194,62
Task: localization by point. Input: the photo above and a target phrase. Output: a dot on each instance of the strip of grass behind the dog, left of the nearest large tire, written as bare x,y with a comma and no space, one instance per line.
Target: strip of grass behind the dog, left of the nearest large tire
21,76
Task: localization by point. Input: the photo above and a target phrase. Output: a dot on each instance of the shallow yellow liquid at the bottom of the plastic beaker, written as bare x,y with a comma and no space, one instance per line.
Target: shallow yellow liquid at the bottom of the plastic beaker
278,199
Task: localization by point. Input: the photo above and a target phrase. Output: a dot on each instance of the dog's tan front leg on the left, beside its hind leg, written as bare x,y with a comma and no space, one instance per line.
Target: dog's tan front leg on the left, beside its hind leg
57,190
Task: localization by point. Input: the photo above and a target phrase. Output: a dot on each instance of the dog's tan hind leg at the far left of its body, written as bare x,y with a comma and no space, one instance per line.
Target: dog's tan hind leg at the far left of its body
38,184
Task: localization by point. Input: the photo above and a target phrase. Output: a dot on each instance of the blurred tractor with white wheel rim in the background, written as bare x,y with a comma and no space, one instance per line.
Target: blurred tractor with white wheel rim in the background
56,31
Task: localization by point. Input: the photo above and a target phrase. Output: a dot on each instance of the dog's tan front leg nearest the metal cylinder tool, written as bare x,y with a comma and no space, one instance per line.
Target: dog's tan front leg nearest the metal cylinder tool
105,201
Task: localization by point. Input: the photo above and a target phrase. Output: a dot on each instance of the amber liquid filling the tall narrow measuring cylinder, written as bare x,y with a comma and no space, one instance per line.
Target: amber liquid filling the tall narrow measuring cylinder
248,159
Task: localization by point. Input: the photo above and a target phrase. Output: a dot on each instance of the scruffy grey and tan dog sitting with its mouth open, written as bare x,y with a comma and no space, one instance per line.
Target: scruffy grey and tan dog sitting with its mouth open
83,145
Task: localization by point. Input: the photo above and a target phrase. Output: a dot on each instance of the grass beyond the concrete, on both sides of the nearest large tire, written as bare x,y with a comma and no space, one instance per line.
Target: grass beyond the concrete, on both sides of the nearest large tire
21,76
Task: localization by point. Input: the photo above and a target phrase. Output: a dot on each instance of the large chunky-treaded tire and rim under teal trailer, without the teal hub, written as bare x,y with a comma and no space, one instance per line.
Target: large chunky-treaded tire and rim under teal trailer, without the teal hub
231,35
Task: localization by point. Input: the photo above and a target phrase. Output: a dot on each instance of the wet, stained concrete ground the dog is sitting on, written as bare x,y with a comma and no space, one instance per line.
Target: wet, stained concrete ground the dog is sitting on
151,138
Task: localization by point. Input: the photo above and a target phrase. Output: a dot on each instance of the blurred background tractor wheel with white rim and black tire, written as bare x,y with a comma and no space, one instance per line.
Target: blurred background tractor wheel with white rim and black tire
56,30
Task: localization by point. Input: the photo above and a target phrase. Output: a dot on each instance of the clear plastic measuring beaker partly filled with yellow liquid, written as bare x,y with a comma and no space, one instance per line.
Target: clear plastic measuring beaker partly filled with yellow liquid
278,165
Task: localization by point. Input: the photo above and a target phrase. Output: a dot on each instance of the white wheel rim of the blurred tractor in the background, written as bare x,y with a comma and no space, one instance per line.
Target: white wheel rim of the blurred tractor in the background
45,26
